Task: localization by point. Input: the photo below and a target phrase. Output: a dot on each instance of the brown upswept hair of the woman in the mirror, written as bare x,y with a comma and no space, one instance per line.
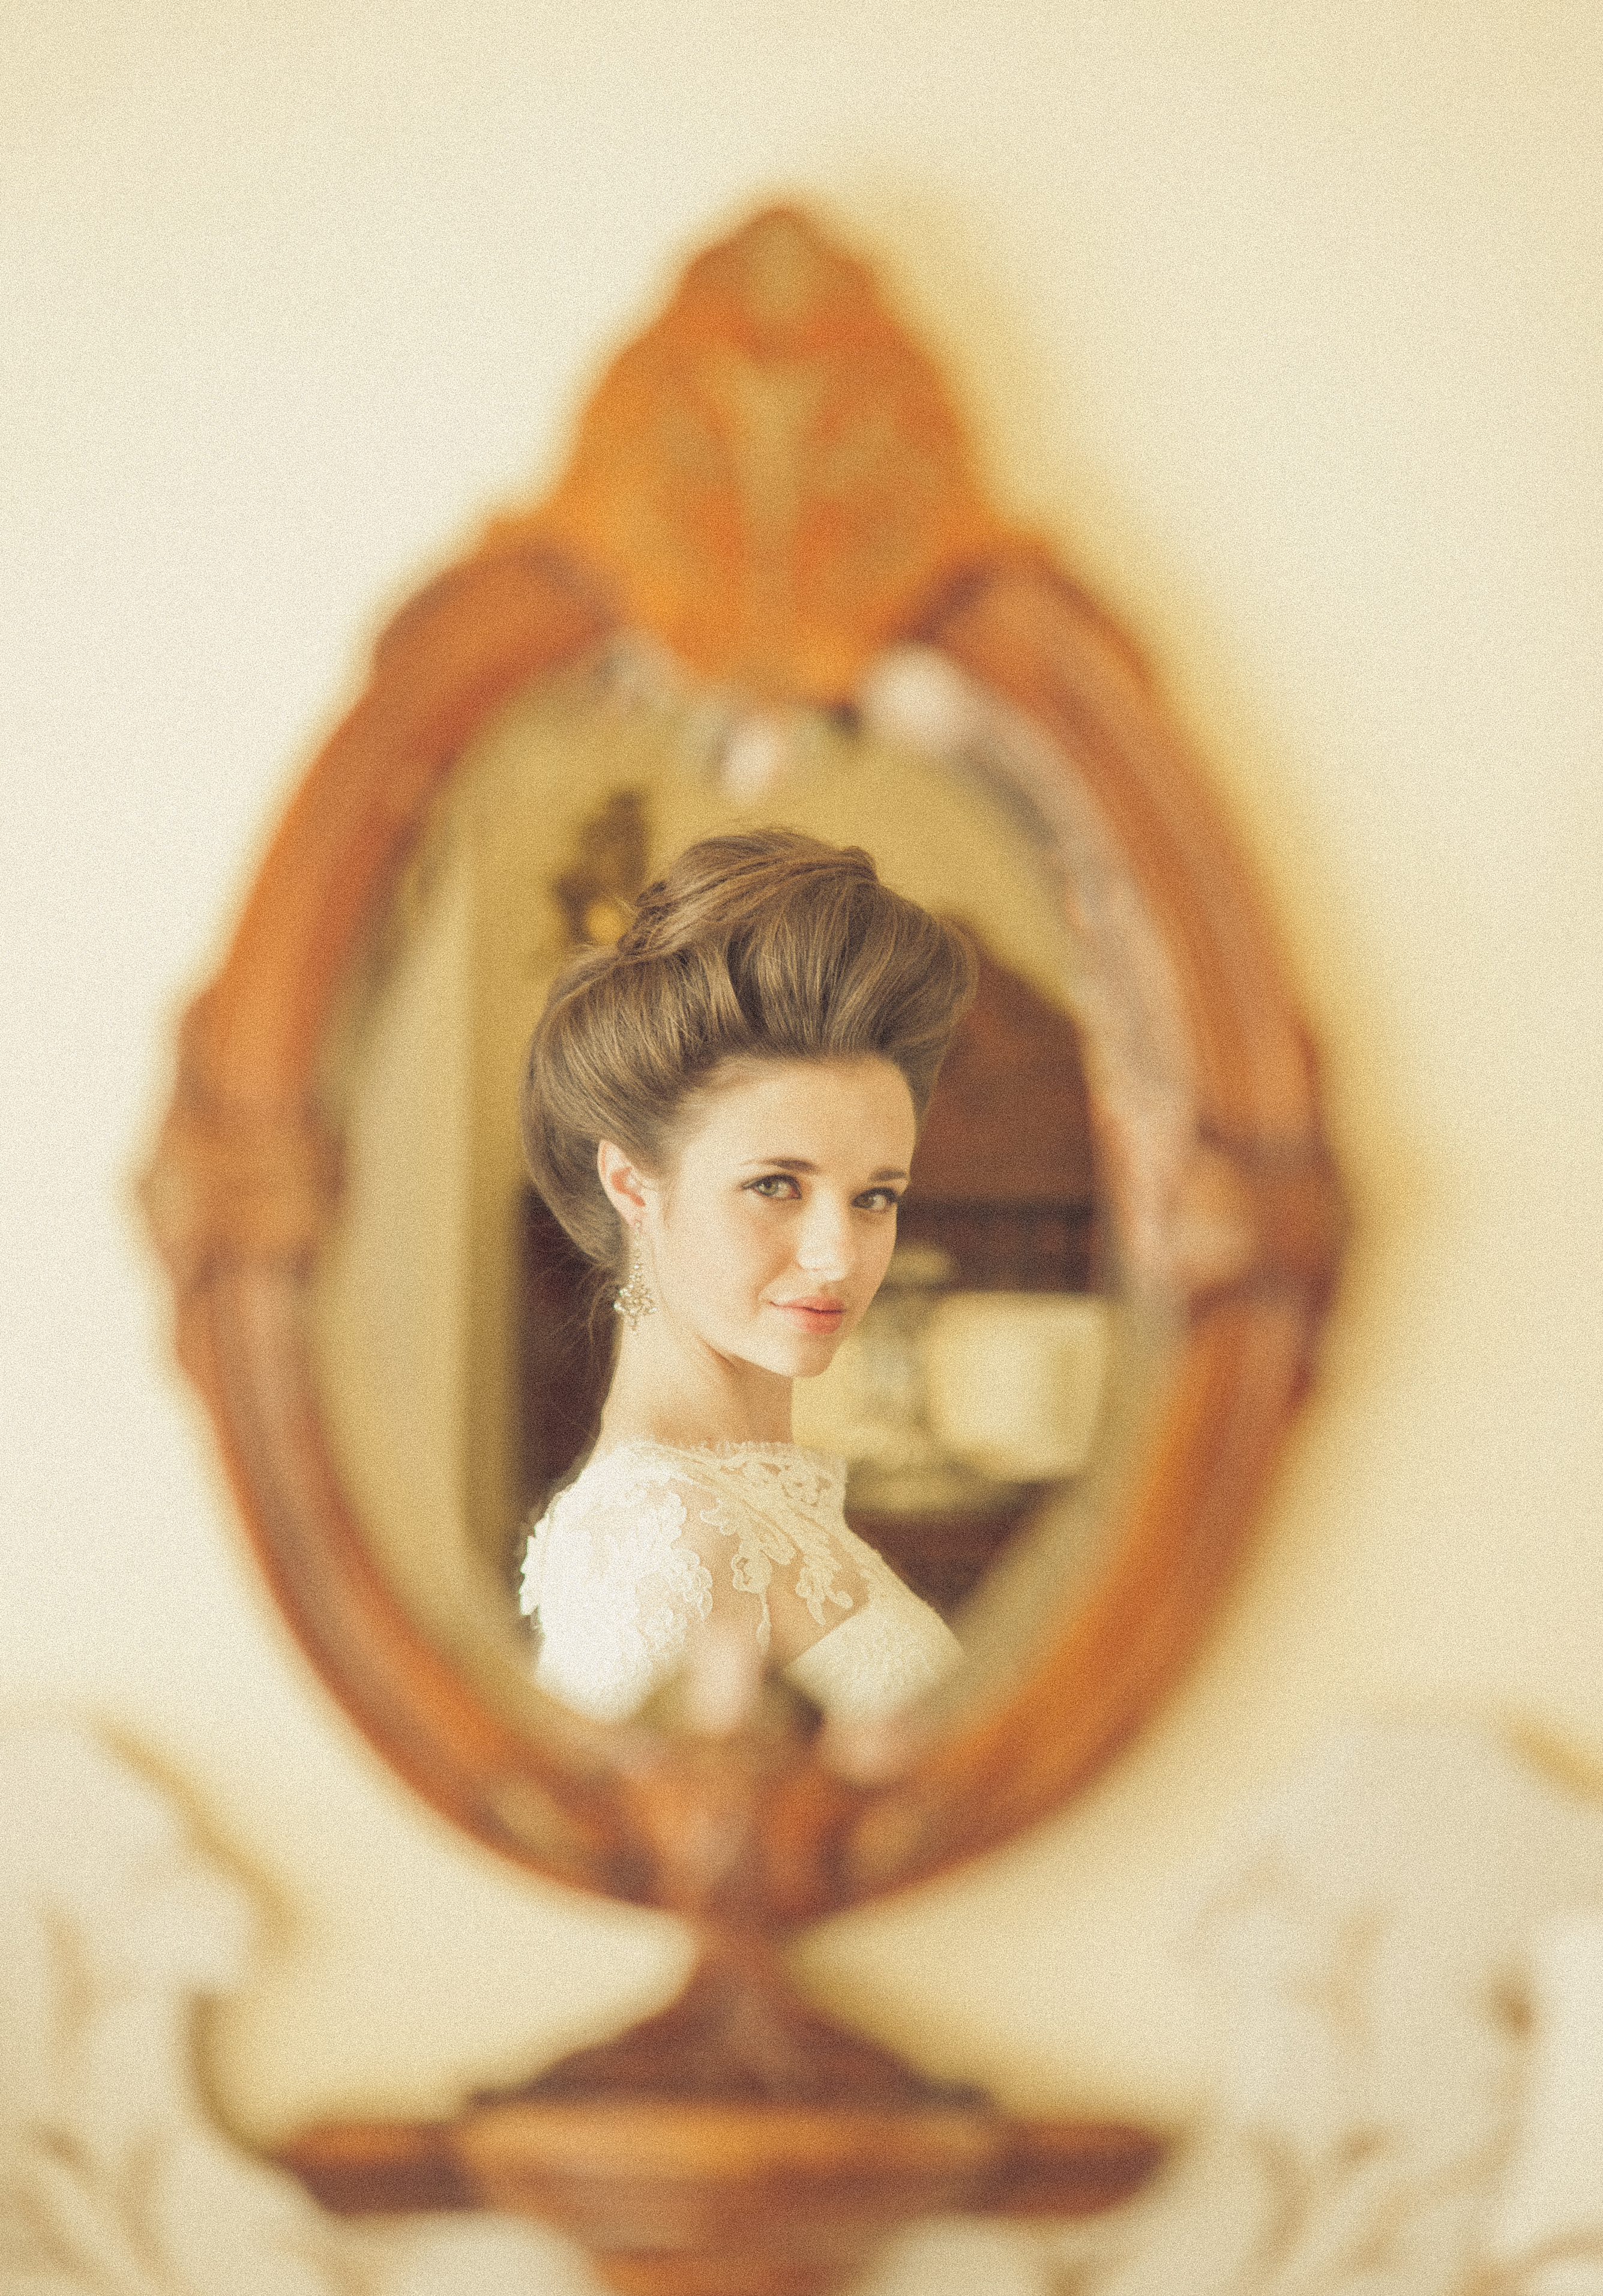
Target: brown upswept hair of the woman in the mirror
766,945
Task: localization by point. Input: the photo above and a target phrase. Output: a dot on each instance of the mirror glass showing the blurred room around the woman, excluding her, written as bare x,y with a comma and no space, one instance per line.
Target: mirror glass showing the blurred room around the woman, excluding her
456,1333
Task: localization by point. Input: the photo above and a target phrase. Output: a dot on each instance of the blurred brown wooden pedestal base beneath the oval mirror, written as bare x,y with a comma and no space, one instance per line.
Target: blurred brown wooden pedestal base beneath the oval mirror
736,2146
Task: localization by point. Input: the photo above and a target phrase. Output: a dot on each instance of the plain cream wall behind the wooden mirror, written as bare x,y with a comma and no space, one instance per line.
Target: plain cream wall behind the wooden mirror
1285,323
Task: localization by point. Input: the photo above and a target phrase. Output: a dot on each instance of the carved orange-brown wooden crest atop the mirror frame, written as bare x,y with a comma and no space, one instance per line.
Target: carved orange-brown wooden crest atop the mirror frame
773,474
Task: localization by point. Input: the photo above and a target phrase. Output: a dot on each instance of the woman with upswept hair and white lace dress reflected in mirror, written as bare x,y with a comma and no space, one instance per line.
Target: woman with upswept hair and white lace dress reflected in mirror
722,1112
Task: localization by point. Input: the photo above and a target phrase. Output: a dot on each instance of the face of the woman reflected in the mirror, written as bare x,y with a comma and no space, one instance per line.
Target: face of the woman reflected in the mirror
777,1223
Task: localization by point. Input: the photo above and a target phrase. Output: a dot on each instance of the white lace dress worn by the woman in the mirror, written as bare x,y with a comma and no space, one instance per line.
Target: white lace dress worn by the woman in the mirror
653,1539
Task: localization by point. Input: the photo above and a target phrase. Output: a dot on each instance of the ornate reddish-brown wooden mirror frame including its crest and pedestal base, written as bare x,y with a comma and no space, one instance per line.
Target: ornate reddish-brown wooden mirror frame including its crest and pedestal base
773,486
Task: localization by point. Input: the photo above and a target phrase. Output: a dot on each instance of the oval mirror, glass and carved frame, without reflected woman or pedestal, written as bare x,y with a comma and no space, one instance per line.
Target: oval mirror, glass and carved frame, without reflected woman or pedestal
768,591
